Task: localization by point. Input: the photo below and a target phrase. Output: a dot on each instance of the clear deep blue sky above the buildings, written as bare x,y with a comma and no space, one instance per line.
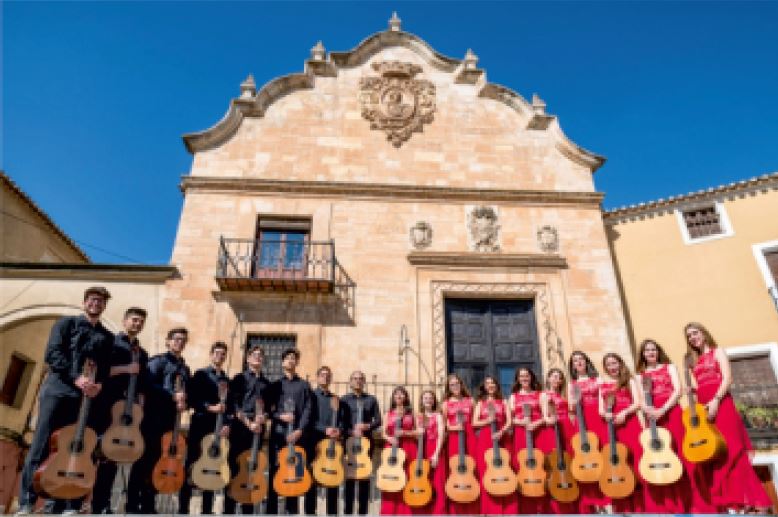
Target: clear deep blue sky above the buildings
678,96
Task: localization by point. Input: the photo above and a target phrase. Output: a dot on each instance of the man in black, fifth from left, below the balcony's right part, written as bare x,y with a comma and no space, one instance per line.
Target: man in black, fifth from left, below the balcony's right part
245,389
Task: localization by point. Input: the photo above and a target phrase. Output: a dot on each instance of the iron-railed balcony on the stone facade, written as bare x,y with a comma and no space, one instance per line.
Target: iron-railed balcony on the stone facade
276,265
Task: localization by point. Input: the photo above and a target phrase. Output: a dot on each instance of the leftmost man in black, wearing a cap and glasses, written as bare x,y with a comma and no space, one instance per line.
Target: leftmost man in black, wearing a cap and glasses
73,341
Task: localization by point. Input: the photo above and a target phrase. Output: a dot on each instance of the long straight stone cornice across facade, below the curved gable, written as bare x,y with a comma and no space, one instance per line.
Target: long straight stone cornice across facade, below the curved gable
378,190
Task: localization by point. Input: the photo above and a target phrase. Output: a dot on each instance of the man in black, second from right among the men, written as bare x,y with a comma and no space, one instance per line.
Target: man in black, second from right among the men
323,427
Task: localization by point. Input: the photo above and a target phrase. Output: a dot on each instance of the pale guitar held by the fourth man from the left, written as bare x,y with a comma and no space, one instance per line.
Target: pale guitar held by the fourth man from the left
211,471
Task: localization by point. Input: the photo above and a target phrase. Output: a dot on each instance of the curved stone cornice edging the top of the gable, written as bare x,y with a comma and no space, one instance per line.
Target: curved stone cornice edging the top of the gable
255,104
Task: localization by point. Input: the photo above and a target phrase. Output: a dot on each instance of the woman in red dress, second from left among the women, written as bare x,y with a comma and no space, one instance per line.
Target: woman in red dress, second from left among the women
431,421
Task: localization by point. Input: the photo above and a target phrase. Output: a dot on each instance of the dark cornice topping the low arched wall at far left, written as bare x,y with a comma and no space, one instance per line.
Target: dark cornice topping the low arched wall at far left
105,272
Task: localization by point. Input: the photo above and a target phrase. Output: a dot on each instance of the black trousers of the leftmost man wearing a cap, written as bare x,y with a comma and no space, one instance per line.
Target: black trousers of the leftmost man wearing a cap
55,410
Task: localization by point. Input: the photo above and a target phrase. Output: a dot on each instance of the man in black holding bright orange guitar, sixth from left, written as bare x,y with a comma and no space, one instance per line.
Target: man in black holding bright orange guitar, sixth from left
292,406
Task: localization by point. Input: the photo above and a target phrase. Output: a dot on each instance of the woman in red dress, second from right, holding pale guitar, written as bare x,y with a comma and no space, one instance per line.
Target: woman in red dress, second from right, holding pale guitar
683,496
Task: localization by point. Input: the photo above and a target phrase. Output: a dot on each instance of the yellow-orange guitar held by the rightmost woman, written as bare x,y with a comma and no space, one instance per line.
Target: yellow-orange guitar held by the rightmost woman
702,441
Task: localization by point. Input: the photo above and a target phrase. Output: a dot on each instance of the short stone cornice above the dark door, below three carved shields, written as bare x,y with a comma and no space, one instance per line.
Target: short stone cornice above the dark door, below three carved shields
486,260
